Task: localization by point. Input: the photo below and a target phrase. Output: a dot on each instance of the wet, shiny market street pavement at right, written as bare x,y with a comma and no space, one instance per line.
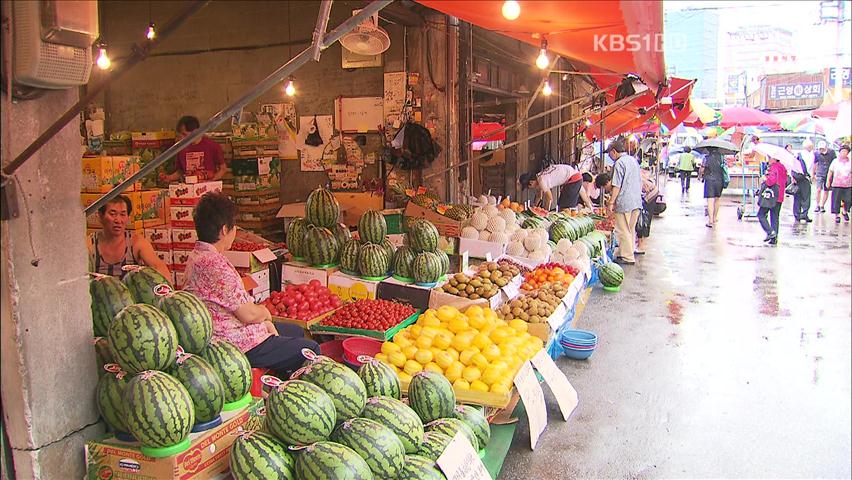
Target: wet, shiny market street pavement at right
721,357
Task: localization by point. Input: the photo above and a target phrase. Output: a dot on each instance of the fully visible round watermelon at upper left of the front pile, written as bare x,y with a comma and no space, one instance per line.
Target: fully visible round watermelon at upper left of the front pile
299,413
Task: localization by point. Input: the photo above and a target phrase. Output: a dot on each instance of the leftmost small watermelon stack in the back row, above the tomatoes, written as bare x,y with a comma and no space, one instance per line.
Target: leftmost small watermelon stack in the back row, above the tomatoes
318,237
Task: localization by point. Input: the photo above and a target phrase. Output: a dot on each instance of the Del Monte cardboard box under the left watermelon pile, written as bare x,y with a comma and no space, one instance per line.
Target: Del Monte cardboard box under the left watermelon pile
206,459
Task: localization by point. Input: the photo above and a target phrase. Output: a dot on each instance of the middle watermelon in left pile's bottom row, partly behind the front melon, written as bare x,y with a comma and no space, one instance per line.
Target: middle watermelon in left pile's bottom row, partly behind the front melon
203,384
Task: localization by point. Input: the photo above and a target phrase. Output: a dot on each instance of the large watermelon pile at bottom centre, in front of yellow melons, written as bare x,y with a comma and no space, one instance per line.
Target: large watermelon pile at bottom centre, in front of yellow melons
329,423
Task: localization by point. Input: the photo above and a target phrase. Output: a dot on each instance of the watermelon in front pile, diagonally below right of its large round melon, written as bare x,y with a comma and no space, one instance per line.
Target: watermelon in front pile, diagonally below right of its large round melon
376,444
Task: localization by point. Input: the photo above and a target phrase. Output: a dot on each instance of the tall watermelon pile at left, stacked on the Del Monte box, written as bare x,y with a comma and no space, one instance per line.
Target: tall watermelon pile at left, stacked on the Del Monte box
161,371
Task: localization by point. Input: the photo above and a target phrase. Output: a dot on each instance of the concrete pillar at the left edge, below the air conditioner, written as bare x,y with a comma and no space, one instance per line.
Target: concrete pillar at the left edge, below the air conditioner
48,362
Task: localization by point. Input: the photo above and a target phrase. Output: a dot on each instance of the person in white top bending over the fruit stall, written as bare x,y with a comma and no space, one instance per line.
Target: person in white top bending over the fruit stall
558,175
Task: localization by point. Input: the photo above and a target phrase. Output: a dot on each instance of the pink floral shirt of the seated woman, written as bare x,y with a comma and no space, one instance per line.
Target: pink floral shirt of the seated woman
211,277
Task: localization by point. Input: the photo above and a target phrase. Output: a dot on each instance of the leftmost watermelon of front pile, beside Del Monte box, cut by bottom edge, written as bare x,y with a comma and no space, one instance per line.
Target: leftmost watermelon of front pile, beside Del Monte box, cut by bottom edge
259,456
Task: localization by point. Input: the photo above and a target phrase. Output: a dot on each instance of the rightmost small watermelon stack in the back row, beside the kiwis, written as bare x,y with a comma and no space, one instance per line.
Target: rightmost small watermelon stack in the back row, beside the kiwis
420,260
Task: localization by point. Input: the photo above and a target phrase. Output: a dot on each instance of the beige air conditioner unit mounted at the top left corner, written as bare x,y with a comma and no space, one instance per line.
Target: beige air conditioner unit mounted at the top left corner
53,42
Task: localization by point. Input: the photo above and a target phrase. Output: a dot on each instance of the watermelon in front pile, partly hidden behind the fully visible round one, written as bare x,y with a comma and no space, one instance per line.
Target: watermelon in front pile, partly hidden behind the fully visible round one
345,388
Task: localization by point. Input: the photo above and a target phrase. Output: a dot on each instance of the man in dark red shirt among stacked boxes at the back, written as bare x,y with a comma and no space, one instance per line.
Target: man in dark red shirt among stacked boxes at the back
203,159
